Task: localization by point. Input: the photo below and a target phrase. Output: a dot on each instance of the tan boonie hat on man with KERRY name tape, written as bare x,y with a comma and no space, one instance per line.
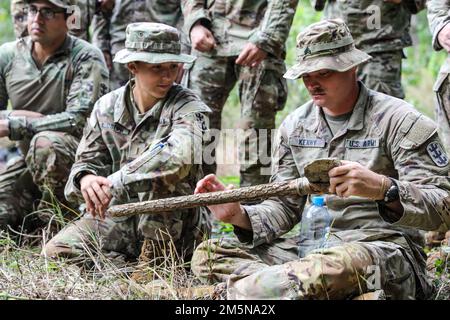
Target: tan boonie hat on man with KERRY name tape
326,44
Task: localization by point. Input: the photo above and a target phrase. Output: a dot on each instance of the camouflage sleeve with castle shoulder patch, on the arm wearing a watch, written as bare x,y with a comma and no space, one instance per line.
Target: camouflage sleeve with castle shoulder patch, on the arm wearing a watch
423,181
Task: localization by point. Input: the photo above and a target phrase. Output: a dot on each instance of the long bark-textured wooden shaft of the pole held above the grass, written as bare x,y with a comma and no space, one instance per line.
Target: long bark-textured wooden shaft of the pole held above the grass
299,186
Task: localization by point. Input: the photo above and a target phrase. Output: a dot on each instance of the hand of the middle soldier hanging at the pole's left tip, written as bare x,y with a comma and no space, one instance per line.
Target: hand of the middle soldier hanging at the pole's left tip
96,194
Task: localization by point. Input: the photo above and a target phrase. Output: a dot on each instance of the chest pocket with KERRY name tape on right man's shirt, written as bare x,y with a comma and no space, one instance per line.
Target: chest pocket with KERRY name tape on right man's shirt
304,149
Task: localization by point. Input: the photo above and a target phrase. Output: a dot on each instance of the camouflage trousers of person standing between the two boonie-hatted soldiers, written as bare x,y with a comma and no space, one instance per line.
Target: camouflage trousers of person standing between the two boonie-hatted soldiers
262,92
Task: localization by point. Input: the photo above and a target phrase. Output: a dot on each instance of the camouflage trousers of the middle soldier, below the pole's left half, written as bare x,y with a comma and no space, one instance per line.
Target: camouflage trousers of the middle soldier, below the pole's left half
124,236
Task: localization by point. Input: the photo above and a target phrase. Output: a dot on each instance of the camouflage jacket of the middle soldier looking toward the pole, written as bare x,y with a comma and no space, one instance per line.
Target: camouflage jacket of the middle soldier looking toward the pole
159,156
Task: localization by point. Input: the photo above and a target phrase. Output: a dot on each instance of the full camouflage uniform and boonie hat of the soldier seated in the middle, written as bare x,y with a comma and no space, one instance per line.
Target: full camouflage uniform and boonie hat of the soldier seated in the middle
145,158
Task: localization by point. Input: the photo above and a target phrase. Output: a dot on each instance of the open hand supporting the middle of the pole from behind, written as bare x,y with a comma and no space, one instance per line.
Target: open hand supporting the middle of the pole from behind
227,212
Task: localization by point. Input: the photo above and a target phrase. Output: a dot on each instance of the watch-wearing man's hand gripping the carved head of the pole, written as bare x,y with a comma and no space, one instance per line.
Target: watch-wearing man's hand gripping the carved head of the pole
353,179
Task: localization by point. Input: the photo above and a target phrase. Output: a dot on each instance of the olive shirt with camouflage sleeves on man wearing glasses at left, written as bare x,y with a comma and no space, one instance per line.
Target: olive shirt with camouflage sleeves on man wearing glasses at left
64,89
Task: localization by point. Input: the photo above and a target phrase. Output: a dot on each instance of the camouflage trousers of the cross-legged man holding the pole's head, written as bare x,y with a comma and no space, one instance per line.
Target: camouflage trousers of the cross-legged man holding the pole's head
275,272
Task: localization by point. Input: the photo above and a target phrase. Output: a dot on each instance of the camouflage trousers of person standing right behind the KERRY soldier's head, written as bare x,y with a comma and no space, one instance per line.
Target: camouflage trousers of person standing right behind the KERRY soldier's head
383,73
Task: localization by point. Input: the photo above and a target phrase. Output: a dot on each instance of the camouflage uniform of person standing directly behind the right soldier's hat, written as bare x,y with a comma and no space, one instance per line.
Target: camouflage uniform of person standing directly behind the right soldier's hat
384,43
